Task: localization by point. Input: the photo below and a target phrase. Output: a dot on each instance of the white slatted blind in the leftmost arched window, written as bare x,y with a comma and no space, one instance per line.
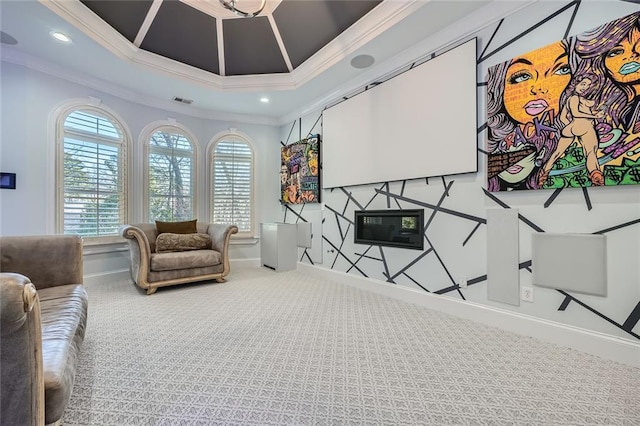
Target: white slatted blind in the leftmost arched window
93,185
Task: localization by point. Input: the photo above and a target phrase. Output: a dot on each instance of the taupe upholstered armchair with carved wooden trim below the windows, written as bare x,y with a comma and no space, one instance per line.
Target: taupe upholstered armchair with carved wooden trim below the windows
160,259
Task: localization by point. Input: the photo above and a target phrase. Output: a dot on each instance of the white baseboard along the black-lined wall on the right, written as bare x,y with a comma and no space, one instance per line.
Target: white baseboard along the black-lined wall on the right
595,343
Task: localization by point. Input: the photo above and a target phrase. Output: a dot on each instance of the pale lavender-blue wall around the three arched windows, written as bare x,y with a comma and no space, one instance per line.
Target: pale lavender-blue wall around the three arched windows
27,149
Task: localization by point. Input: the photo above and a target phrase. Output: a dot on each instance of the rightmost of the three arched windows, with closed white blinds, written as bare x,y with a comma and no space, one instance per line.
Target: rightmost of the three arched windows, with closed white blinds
232,186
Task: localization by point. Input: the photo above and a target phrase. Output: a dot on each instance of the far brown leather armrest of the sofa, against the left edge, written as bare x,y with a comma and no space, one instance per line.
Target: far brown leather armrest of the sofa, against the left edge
48,260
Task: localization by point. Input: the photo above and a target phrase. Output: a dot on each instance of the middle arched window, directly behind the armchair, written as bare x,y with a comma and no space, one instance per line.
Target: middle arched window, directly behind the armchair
170,175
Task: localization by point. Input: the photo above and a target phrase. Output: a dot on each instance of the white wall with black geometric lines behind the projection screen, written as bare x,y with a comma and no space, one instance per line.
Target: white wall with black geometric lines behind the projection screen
461,252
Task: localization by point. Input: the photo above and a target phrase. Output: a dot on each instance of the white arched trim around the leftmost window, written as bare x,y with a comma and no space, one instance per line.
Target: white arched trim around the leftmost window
57,119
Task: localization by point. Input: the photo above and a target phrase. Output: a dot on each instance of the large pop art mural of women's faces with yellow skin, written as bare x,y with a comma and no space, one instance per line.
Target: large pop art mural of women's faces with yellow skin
567,114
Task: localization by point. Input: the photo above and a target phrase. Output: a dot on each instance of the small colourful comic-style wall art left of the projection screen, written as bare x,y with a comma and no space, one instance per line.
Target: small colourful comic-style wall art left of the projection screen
299,171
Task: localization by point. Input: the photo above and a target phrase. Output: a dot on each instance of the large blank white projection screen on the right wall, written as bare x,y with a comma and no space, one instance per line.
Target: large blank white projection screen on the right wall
420,123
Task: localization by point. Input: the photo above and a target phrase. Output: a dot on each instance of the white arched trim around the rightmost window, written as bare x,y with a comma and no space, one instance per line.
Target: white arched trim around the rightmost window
233,134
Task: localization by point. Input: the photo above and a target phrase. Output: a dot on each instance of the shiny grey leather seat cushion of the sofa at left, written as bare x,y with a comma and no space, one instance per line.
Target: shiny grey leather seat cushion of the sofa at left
64,316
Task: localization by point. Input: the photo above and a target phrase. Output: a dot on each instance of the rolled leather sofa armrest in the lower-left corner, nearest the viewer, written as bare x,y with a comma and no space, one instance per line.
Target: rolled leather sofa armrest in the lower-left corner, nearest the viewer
21,375
